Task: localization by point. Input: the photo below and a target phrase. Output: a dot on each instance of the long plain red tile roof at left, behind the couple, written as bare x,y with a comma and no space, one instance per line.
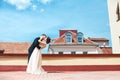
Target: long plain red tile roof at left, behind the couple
15,47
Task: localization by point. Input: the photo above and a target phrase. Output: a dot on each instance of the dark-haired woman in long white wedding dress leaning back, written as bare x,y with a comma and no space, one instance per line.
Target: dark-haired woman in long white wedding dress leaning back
35,63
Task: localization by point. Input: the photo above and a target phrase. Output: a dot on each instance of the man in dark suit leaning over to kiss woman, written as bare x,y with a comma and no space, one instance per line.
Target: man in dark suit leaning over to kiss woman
35,44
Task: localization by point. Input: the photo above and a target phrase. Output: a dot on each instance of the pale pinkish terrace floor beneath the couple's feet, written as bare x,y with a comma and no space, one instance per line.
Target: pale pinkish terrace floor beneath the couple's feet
79,75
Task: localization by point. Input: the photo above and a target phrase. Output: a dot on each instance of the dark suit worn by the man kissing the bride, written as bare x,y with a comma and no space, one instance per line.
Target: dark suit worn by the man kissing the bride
32,47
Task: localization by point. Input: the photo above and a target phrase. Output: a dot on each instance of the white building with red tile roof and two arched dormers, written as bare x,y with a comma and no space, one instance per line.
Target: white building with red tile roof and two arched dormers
74,42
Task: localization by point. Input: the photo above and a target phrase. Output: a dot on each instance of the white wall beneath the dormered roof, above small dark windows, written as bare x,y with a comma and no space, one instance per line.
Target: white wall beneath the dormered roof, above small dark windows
77,49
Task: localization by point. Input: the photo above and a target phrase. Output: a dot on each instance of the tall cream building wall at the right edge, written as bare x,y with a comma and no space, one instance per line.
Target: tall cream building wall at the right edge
114,19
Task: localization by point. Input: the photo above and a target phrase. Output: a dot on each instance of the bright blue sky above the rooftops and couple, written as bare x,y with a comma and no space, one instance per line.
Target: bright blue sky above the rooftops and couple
23,20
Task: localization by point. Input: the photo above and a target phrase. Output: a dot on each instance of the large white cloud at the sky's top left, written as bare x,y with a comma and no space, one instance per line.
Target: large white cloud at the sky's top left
20,4
